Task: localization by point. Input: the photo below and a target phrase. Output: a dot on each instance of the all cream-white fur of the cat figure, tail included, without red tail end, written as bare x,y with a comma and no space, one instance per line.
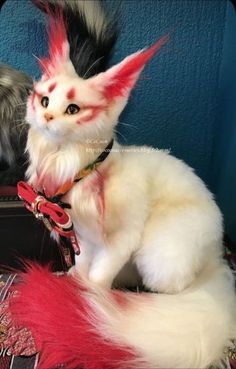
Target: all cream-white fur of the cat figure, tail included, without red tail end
141,208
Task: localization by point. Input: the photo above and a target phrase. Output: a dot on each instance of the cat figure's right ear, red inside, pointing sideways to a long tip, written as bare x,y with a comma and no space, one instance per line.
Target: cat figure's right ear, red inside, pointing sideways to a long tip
120,79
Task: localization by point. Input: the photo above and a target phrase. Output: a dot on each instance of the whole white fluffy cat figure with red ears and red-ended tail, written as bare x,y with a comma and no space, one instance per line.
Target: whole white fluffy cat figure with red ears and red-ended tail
137,208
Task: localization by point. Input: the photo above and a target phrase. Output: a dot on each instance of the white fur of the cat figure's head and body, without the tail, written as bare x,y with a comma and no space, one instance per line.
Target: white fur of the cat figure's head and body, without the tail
157,213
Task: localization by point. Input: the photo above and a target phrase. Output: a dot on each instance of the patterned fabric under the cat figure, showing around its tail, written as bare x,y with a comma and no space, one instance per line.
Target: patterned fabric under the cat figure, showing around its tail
17,350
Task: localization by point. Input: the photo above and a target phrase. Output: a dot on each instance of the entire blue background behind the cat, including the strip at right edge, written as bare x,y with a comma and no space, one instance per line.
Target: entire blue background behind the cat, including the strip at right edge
186,97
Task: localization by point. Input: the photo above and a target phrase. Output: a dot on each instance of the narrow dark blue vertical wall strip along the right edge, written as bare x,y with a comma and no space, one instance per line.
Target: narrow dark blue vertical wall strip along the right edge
225,153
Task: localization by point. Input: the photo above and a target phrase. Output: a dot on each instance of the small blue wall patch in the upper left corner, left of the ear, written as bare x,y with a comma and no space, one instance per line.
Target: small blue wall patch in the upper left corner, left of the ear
22,35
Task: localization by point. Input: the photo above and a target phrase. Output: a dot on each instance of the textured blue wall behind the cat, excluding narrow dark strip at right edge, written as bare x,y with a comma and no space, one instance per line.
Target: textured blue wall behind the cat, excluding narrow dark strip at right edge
174,104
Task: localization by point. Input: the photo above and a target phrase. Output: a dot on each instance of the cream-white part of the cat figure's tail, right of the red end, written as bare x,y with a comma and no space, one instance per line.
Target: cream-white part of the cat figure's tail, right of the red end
186,330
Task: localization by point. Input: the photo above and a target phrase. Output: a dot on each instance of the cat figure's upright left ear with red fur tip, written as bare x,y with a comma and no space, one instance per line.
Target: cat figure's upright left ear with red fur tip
58,60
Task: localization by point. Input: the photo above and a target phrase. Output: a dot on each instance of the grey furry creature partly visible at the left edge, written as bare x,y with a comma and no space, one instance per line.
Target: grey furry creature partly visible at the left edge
15,87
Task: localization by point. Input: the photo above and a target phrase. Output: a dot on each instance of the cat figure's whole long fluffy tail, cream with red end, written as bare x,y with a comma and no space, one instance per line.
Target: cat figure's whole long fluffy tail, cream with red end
80,325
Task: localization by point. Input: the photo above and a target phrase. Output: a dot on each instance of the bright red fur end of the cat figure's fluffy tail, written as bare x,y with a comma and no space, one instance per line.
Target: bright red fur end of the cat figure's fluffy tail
62,323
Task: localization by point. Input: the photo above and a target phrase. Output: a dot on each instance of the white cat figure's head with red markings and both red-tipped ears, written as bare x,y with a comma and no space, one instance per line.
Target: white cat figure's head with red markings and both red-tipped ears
67,107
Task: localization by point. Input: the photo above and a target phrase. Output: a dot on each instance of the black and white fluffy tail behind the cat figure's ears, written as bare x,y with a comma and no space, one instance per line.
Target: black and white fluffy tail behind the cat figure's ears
91,32
